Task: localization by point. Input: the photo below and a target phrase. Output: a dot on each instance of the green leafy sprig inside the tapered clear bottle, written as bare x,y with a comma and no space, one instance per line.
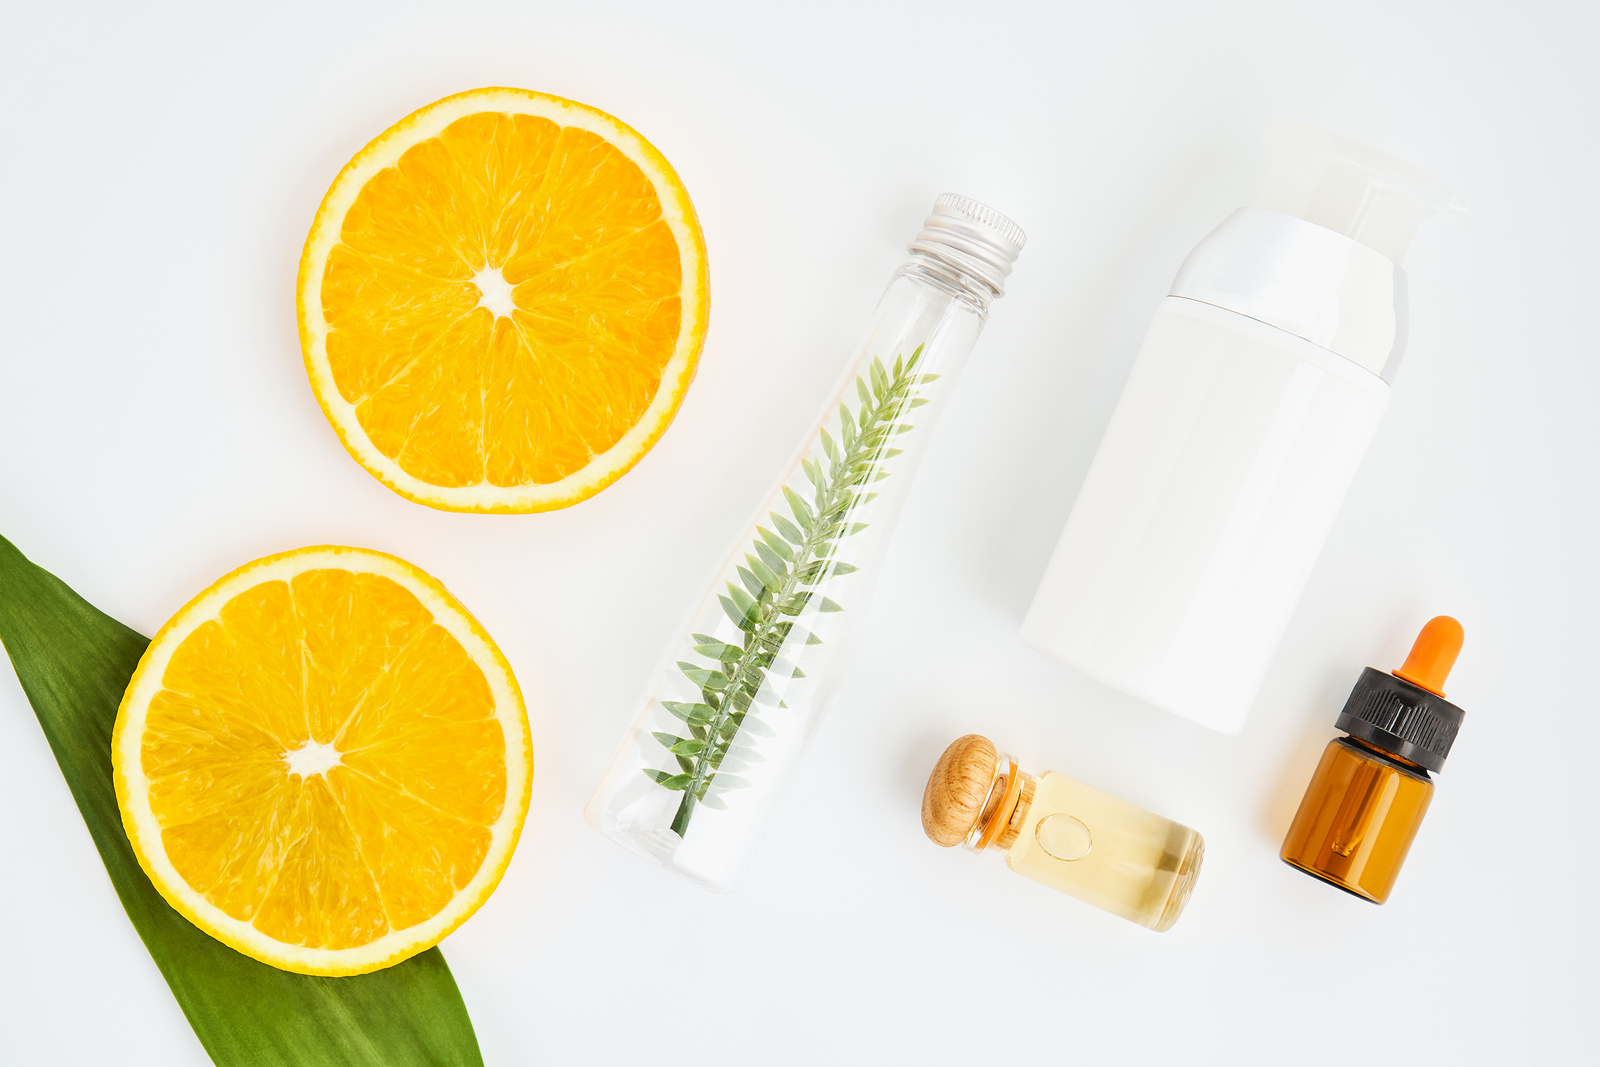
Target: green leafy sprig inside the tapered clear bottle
778,583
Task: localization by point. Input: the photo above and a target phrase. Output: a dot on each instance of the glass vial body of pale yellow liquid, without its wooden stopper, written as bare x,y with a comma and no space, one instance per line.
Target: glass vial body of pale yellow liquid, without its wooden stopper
1103,850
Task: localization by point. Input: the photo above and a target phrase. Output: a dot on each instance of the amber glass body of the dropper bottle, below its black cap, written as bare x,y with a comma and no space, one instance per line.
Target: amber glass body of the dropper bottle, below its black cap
1358,821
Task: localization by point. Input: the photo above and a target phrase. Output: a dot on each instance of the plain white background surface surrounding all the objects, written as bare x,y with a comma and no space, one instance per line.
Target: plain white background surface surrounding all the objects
162,166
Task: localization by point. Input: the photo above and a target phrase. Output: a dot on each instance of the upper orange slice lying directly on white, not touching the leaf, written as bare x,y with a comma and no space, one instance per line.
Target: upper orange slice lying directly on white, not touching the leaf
503,302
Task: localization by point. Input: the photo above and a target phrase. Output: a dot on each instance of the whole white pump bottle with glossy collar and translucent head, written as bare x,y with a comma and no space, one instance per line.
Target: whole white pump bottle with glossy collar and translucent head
1246,417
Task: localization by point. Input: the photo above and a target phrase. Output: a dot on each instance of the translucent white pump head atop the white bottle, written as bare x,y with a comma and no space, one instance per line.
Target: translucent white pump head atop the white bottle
1351,190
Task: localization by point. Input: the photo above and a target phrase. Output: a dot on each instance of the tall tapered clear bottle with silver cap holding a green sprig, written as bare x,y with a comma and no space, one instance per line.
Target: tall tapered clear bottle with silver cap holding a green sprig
698,775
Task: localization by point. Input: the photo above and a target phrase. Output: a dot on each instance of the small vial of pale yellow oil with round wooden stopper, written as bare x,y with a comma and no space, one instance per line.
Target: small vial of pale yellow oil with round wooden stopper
1065,834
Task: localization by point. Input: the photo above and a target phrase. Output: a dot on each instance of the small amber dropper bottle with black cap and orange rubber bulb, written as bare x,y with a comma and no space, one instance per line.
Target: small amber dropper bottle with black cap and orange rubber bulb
1372,789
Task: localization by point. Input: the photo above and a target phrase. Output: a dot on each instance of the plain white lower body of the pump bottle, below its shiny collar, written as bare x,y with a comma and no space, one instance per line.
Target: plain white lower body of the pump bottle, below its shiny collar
1204,513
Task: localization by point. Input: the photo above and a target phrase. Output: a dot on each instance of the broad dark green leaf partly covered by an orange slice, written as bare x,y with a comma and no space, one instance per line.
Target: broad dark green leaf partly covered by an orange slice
74,665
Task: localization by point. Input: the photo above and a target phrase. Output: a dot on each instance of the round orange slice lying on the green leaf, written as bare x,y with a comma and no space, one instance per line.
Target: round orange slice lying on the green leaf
324,762
